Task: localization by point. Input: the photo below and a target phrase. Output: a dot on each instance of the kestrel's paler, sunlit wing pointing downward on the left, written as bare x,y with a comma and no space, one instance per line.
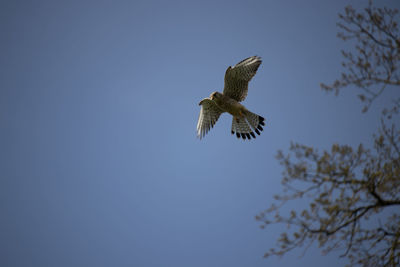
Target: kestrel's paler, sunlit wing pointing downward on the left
209,115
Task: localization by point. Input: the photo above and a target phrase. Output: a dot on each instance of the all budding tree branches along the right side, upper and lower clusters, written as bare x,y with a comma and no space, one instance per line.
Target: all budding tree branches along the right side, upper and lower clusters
352,194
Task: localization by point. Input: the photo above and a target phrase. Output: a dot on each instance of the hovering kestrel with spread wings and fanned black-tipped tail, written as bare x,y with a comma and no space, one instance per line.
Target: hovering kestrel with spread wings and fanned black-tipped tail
235,90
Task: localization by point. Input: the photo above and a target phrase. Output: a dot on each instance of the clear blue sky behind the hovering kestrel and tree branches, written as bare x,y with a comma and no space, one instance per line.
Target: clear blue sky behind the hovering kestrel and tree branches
99,161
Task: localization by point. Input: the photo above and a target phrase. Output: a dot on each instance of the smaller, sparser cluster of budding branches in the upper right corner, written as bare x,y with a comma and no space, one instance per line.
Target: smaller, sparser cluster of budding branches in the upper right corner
375,62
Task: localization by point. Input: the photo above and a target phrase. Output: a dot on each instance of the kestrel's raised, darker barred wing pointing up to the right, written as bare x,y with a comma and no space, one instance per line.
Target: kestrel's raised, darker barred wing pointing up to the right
237,78
